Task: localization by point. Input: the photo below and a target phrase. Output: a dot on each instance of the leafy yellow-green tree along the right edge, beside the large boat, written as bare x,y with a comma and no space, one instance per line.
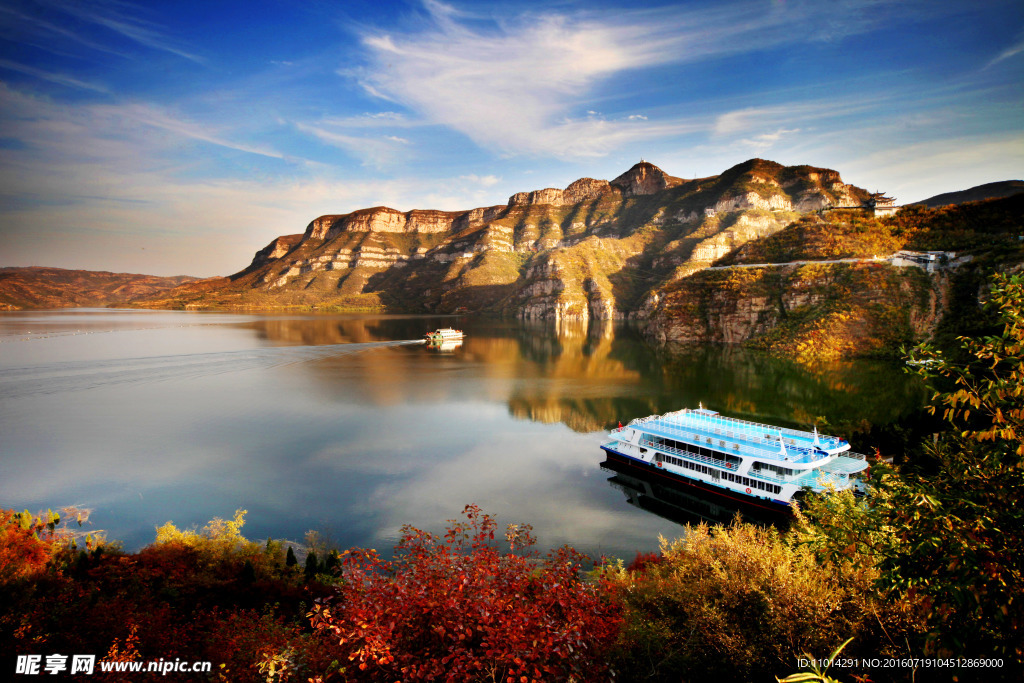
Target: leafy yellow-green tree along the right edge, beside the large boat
951,538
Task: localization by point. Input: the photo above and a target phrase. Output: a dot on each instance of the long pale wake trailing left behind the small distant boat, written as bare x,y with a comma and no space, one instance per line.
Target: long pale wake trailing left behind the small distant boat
82,375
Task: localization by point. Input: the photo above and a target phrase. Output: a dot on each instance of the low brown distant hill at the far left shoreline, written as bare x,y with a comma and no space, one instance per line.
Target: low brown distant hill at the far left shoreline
57,288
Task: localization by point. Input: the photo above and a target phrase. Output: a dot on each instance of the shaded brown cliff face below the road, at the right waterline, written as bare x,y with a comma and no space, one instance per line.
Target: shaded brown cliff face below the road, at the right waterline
813,312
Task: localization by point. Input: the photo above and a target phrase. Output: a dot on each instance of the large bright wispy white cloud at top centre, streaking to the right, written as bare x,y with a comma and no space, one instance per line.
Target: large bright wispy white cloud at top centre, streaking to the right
523,87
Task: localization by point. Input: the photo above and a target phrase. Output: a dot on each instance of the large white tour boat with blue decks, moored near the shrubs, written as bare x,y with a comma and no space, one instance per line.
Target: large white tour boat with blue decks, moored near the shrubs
745,461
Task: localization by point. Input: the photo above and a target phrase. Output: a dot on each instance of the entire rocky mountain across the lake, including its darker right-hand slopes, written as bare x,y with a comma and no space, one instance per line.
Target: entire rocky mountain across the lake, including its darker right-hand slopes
789,260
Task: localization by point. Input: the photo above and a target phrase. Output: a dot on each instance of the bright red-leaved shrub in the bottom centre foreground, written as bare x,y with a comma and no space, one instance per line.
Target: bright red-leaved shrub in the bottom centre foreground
461,610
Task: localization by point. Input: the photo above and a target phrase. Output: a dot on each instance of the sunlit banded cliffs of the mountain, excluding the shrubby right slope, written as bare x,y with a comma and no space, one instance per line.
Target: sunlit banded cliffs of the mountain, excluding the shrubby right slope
595,249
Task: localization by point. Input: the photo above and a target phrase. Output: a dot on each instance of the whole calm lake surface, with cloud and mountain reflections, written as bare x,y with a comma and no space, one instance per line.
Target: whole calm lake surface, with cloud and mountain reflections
337,423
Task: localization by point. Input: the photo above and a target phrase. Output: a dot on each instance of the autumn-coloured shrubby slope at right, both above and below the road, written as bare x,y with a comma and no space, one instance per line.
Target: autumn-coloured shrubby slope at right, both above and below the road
815,312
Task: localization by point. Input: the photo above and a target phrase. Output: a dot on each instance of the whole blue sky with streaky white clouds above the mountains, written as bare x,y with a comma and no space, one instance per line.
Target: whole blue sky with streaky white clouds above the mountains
181,138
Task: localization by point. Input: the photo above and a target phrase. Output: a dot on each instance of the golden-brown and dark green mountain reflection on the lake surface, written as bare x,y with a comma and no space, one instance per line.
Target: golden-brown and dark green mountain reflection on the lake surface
591,377
